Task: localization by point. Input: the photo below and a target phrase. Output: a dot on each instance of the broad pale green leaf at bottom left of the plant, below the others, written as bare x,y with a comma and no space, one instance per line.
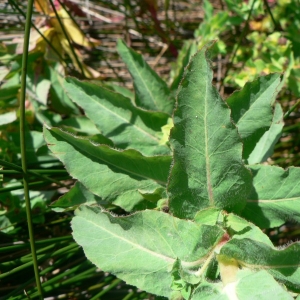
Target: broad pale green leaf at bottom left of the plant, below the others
142,248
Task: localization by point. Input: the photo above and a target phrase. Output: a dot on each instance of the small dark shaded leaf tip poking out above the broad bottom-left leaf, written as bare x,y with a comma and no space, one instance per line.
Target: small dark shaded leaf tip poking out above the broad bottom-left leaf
77,195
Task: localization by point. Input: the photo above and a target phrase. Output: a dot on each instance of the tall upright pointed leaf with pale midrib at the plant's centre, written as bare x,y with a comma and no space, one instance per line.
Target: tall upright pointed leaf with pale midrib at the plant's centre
208,169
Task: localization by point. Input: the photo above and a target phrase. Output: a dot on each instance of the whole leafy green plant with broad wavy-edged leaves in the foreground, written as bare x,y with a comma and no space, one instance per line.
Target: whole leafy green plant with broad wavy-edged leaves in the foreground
197,203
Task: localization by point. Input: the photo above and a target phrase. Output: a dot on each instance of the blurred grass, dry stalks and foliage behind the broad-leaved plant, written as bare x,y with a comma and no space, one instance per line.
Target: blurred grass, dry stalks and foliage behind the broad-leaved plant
78,38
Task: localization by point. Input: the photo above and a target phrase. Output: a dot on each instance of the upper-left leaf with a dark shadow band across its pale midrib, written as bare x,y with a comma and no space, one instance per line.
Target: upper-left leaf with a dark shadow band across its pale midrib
117,118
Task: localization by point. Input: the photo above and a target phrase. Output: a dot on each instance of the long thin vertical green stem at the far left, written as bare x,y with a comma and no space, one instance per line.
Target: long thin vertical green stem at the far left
23,145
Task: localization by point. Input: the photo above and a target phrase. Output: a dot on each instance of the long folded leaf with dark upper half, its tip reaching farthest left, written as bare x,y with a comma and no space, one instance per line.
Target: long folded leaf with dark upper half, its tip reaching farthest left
115,176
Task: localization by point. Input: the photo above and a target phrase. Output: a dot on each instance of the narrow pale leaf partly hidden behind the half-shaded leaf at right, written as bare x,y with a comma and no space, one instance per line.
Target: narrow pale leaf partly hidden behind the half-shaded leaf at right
265,146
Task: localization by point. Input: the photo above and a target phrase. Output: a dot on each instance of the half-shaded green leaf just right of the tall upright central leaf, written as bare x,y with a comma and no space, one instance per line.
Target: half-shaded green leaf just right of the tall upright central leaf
251,109
